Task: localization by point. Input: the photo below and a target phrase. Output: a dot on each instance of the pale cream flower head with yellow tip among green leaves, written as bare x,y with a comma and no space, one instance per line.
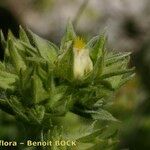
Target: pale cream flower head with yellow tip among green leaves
82,62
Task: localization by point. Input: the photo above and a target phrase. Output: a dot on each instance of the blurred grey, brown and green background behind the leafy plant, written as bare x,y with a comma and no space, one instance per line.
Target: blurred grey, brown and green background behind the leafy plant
127,25
